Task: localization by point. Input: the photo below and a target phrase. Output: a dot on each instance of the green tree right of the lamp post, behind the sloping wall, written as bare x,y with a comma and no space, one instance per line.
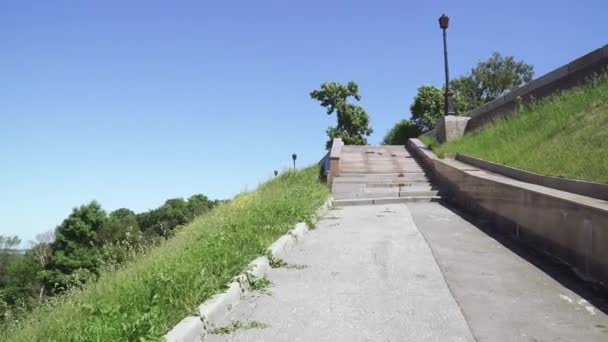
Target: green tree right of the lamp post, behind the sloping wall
491,79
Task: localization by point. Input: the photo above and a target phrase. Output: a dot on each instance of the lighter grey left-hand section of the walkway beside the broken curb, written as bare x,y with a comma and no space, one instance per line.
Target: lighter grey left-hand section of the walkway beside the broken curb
365,274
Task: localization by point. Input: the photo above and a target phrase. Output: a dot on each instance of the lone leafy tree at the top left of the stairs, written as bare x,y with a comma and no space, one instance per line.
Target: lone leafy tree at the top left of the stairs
353,121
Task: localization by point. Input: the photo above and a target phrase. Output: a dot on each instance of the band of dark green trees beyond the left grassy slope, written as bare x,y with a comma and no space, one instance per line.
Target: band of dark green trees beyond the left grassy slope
86,242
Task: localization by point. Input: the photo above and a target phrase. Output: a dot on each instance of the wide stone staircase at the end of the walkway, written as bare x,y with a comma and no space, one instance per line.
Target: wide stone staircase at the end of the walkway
379,175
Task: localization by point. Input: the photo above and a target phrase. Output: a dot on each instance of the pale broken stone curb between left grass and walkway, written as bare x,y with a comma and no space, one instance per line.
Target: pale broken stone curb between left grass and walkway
195,328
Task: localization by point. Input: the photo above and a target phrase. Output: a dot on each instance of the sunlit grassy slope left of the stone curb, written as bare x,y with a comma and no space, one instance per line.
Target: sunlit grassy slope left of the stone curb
149,296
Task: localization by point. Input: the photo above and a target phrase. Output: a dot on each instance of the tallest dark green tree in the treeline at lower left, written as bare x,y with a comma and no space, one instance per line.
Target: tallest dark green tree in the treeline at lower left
75,250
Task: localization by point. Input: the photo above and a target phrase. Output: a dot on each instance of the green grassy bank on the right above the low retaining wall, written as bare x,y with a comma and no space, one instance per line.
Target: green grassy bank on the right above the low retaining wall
564,136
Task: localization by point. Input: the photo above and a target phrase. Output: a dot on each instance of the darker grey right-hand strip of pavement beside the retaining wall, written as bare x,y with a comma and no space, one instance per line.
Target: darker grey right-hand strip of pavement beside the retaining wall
508,296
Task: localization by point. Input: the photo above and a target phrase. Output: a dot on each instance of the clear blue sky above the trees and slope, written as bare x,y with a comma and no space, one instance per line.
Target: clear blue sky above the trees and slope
134,102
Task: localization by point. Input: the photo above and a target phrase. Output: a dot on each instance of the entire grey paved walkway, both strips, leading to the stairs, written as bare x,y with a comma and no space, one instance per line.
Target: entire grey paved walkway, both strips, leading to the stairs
368,274
